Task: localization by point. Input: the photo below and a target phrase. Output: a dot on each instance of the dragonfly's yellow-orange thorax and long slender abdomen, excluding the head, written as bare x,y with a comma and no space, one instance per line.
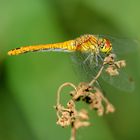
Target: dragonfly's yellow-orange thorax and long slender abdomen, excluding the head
85,43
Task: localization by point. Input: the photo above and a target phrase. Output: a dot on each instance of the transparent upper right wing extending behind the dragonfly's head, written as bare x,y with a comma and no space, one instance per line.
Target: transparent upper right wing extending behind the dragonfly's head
122,45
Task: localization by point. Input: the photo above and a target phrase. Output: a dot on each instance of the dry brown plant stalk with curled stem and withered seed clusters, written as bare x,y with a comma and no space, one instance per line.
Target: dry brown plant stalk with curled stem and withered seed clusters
90,94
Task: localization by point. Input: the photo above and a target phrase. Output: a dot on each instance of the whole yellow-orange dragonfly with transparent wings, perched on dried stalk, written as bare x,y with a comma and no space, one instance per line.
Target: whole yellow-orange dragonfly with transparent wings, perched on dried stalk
89,51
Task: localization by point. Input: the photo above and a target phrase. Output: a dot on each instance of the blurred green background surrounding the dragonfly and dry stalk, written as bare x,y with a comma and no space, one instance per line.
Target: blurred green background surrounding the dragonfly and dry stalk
28,83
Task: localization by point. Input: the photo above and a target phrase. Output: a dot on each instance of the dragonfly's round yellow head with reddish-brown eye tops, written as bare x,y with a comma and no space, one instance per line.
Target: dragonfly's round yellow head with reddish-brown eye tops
105,45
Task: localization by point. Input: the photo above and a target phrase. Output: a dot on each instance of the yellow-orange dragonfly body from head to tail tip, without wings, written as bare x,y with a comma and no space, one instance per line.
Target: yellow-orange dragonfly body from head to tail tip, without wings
86,43
